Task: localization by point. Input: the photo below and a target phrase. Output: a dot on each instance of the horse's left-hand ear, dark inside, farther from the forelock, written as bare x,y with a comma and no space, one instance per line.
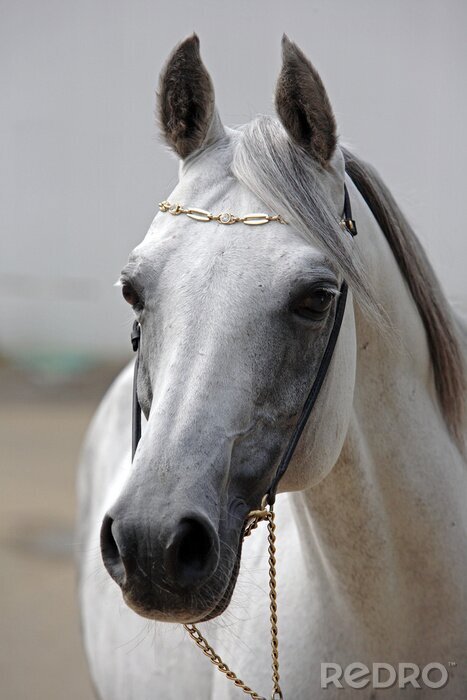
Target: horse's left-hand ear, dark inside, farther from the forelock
187,112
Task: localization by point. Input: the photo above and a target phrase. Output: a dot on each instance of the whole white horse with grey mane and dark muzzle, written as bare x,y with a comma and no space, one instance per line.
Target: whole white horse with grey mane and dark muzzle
372,519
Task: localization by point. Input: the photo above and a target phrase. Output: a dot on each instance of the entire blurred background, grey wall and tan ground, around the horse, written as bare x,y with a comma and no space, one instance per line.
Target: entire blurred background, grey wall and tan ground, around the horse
81,172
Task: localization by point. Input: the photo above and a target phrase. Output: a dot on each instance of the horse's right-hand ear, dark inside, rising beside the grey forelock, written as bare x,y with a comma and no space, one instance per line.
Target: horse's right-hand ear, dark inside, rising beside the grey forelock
303,105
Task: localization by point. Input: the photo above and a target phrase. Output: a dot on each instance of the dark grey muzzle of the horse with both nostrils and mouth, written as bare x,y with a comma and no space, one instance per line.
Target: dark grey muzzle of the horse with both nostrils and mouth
169,573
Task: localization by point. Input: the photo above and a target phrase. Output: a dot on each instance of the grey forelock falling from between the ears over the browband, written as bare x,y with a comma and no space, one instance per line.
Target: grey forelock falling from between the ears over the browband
284,176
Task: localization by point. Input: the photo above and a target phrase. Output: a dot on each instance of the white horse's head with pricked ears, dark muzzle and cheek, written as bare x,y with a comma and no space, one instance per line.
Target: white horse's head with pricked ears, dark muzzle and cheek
234,321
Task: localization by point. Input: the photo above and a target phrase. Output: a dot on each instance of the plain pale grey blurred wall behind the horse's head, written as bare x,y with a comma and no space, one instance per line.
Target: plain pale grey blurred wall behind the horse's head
82,169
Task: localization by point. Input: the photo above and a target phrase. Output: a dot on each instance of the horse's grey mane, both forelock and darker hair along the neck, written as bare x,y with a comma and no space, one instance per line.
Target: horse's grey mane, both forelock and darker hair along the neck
288,181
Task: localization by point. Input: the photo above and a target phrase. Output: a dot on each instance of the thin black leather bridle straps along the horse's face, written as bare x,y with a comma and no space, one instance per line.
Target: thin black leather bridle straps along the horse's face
349,225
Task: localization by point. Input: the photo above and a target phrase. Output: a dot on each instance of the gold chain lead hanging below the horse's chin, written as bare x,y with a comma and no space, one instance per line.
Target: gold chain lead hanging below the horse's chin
255,517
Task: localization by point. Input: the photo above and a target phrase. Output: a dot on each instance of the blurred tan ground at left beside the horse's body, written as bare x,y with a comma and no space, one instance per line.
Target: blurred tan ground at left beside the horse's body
42,422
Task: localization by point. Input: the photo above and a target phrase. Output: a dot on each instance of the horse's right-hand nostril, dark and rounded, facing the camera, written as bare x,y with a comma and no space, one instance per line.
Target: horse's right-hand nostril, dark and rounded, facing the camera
192,552
